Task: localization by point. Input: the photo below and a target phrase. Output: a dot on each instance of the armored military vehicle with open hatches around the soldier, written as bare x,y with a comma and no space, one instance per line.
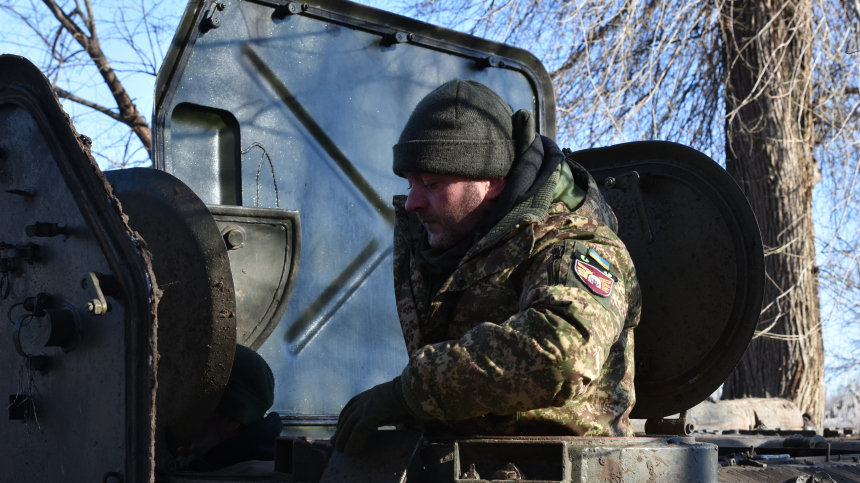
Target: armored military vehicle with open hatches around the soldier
267,221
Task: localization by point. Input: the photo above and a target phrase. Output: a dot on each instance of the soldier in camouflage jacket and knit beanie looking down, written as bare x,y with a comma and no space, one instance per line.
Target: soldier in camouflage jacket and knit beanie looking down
516,298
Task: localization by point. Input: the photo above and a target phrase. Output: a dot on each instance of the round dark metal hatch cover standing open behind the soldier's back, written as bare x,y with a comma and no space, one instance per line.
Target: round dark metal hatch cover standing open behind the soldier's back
700,263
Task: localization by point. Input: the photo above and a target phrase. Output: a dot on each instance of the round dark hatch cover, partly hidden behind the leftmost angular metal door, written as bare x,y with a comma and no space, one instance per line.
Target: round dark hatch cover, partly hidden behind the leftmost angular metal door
196,313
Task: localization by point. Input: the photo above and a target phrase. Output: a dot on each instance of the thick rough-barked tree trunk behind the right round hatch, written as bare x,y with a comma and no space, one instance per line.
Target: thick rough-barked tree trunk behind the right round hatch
768,151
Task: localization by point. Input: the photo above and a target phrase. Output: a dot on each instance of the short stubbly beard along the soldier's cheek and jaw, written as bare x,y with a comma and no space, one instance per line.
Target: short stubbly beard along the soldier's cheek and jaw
456,220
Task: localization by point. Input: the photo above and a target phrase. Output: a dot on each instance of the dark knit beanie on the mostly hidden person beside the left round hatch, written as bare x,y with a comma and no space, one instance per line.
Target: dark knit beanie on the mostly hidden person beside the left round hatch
250,392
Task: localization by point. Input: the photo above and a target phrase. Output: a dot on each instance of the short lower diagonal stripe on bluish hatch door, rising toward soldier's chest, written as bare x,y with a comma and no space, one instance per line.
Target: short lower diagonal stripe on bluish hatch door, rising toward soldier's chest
313,319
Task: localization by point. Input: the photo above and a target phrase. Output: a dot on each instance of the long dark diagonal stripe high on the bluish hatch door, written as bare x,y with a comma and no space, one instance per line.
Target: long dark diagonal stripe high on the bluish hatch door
320,135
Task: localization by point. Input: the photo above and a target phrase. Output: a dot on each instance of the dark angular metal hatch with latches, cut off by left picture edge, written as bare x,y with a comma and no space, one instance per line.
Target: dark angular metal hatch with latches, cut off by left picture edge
80,385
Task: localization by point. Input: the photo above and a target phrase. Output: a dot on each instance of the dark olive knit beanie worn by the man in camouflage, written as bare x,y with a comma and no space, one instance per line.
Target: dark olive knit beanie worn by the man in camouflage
463,128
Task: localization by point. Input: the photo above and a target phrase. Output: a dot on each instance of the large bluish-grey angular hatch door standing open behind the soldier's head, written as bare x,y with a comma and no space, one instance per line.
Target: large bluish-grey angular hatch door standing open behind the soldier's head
279,105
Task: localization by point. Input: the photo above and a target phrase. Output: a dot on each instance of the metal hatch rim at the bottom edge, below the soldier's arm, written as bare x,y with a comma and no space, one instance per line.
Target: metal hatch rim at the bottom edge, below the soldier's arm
389,457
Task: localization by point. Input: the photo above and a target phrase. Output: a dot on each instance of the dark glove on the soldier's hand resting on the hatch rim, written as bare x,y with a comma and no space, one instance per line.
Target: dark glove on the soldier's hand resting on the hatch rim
378,406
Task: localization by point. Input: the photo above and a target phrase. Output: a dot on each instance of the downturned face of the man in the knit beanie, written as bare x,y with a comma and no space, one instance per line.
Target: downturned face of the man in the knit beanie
450,206
